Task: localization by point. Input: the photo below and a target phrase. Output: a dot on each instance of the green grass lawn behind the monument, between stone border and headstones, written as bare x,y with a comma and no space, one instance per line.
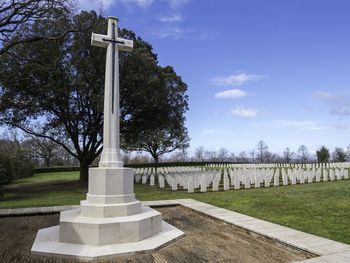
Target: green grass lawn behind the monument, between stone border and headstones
322,209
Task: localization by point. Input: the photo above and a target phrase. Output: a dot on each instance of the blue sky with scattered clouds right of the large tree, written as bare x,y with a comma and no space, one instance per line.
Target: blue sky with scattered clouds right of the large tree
272,70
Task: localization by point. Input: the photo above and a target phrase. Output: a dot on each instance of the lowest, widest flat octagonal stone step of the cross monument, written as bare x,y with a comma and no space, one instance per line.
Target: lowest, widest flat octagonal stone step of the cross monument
47,244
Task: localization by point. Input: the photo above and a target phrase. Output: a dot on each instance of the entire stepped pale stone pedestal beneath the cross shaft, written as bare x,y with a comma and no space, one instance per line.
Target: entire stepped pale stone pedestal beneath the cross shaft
110,222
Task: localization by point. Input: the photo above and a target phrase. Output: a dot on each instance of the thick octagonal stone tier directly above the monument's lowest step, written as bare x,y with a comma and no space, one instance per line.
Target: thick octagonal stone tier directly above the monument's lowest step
78,229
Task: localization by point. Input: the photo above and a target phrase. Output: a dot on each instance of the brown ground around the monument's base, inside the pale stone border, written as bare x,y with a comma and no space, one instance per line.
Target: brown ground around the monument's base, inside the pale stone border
206,240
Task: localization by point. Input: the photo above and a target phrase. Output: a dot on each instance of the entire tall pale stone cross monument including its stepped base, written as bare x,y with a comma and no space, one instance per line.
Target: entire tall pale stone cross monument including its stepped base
110,222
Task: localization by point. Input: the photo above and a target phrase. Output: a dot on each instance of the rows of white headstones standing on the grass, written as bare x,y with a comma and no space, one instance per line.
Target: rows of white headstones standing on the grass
240,176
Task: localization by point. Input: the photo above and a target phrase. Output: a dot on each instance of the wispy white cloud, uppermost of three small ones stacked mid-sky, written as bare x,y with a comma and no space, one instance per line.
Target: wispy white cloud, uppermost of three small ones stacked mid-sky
236,79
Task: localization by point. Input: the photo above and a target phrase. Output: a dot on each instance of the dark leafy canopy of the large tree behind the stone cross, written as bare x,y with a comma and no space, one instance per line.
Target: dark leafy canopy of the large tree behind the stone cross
60,84
